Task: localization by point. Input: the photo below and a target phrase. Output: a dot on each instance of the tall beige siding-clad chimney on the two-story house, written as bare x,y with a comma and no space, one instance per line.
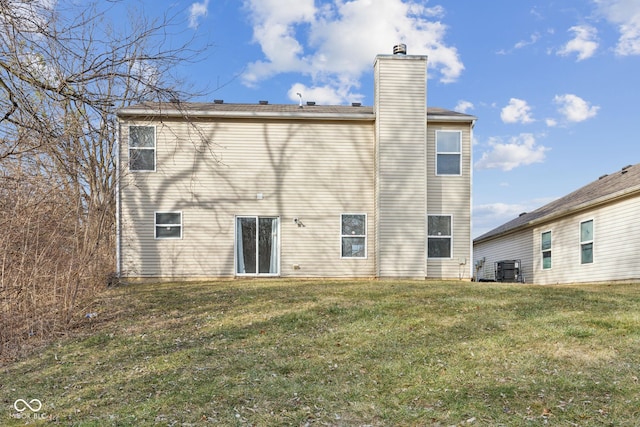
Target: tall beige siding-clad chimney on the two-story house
400,109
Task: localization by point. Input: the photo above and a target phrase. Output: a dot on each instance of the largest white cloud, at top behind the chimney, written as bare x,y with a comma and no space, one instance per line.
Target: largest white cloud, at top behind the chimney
334,42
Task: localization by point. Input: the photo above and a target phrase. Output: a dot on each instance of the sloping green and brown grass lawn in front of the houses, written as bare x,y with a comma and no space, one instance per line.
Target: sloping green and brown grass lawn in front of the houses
340,353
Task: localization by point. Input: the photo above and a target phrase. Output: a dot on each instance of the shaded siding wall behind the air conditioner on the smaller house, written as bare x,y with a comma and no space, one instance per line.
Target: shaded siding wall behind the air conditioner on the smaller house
518,245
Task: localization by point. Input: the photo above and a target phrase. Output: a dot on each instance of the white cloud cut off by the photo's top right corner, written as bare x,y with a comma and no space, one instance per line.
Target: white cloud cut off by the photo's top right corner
626,15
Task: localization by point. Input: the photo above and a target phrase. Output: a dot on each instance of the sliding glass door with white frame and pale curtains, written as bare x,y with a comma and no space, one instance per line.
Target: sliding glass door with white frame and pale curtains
257,245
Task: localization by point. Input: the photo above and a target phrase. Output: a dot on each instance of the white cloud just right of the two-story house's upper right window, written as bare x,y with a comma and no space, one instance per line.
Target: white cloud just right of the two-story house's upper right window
521,150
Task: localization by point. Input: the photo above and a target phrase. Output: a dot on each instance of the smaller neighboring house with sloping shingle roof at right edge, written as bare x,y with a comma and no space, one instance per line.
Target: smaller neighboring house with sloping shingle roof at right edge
590,235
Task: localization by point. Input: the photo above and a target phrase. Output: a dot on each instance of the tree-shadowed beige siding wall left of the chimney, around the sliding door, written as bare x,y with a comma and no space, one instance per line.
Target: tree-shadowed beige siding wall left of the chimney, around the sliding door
313,171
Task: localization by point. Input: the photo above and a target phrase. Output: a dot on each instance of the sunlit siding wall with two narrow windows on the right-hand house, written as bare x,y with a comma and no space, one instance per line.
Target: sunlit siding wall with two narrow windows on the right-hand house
615,246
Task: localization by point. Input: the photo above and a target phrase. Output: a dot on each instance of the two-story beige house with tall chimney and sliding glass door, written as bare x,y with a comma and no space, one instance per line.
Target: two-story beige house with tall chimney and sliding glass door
221,190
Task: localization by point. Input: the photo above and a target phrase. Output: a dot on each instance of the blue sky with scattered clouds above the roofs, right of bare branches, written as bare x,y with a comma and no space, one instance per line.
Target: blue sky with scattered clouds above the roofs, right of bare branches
554,84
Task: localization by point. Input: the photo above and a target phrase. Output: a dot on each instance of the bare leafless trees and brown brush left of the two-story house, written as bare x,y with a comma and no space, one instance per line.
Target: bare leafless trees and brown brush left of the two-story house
64,71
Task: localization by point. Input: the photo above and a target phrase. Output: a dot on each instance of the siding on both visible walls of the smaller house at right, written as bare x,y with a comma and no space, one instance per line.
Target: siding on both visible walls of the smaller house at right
615,247
